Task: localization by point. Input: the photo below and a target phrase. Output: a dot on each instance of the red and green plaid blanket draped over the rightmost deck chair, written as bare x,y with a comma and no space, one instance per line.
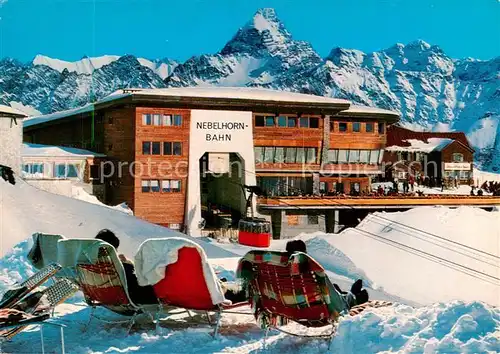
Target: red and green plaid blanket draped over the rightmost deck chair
296,282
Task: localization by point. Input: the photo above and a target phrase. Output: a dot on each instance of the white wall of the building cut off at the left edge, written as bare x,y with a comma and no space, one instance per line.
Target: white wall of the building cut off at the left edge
11,138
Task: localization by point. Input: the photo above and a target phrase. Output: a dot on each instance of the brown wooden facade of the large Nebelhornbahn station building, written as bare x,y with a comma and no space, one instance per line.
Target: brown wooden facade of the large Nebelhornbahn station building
120,134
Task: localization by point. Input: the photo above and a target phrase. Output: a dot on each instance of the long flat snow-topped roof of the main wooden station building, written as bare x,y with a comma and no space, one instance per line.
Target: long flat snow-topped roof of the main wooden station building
257,100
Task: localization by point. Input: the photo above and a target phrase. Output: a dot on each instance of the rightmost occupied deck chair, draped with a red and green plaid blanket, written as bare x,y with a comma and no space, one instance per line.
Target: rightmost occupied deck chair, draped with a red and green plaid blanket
294,288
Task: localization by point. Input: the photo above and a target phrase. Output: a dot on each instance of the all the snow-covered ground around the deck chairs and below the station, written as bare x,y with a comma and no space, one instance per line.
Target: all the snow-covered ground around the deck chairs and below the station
436,310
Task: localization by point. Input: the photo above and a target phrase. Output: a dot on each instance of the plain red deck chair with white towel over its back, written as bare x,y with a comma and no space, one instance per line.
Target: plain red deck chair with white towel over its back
181,276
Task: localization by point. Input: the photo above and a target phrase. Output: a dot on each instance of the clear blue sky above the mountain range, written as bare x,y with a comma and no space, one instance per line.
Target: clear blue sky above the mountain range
70,29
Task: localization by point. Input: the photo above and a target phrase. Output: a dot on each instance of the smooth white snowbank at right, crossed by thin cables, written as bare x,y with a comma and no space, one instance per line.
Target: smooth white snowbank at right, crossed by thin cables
385,249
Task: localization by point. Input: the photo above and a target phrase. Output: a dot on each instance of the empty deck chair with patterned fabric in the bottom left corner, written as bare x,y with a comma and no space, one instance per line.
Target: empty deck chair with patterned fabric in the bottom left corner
14,321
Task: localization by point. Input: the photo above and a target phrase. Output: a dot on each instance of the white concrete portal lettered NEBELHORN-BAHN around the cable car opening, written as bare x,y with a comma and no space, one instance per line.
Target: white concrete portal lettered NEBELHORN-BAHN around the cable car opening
216,131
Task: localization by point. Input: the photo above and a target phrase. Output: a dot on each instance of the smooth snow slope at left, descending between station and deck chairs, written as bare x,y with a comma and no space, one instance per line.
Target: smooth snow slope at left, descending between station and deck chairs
25,210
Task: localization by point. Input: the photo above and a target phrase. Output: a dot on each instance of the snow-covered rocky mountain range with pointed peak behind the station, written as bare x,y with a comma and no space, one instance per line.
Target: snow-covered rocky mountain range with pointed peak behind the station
430,89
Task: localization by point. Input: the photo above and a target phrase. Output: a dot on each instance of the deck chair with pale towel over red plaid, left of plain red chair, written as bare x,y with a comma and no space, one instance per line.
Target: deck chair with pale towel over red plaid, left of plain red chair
100,276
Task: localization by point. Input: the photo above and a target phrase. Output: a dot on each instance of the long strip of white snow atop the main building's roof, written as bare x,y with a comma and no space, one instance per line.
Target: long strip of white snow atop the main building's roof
244,93
